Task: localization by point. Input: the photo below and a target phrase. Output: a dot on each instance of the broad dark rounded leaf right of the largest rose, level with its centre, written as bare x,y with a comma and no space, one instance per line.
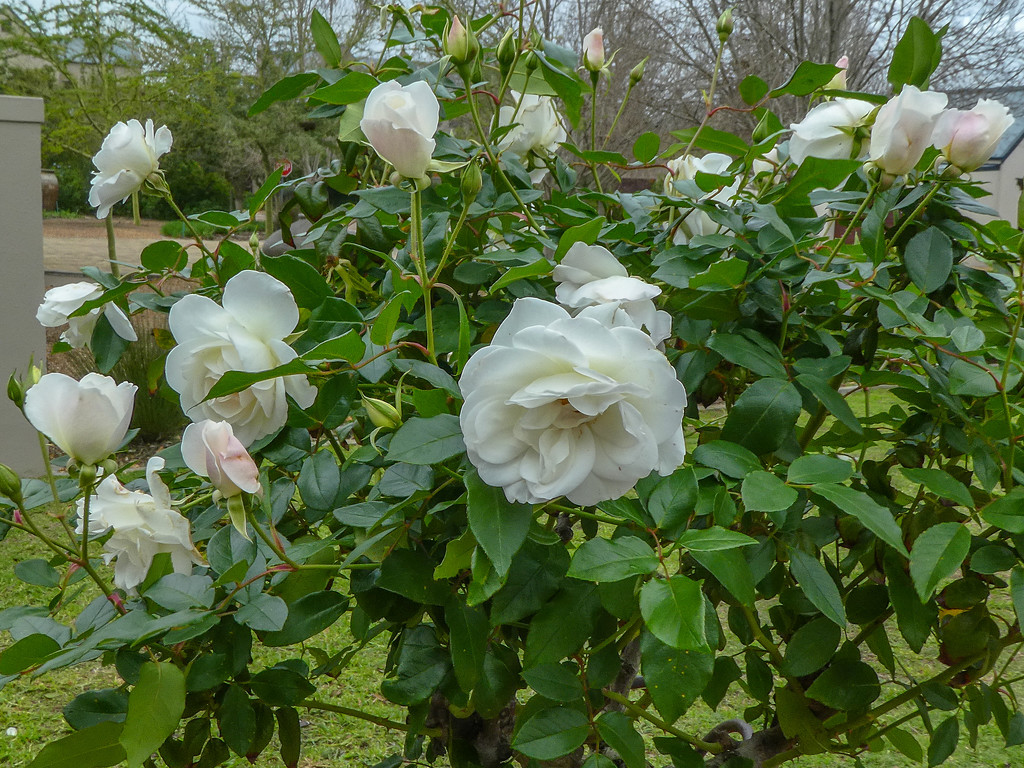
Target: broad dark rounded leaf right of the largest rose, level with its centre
764,416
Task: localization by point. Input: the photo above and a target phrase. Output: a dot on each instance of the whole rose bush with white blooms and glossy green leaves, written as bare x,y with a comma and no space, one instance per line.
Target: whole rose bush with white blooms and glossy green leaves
581,456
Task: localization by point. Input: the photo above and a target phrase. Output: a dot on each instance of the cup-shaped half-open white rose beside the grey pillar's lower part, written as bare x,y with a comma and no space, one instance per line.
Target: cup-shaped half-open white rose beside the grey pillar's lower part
87,419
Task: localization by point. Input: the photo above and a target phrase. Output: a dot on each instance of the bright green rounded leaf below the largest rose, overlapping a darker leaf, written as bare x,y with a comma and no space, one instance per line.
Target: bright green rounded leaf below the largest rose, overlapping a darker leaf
673,611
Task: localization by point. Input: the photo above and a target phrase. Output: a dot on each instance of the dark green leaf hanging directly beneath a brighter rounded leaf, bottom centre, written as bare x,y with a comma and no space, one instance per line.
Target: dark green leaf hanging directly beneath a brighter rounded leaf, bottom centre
675,678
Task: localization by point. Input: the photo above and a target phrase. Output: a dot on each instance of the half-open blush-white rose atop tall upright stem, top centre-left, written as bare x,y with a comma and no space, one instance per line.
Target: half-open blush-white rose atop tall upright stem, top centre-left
400,122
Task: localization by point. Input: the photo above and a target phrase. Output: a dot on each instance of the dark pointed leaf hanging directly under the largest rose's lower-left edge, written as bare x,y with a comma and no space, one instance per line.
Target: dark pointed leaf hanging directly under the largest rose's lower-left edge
499,526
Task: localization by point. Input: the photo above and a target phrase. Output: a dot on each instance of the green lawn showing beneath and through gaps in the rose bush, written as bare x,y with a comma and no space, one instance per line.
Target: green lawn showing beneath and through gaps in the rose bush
33,705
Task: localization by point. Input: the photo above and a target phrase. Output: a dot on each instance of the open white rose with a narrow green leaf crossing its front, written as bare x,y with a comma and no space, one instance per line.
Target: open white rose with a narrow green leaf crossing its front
246,334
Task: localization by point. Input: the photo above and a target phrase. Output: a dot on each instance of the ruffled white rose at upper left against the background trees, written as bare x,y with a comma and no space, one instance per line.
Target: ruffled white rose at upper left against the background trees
130,155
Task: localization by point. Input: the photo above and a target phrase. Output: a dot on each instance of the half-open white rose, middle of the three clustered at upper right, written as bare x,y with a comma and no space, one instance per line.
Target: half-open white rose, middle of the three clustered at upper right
904,130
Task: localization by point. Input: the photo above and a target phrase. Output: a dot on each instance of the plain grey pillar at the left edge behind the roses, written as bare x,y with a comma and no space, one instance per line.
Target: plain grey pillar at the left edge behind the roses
22,279
